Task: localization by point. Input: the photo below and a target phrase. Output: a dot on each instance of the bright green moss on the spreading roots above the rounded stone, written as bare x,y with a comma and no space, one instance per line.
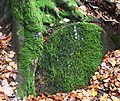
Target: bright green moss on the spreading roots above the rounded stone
50,7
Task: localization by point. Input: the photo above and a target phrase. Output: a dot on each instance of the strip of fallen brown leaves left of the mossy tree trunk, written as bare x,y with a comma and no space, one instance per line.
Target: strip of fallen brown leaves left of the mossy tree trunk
8,69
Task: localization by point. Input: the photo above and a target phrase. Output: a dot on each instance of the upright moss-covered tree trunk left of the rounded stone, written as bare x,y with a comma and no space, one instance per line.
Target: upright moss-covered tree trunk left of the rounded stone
27,23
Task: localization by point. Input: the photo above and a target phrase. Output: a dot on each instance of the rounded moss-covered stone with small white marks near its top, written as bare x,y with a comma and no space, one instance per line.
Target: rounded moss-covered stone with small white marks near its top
71,56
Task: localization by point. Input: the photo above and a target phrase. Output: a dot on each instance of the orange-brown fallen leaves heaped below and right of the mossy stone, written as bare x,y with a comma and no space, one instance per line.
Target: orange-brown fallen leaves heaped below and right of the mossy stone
104,84
